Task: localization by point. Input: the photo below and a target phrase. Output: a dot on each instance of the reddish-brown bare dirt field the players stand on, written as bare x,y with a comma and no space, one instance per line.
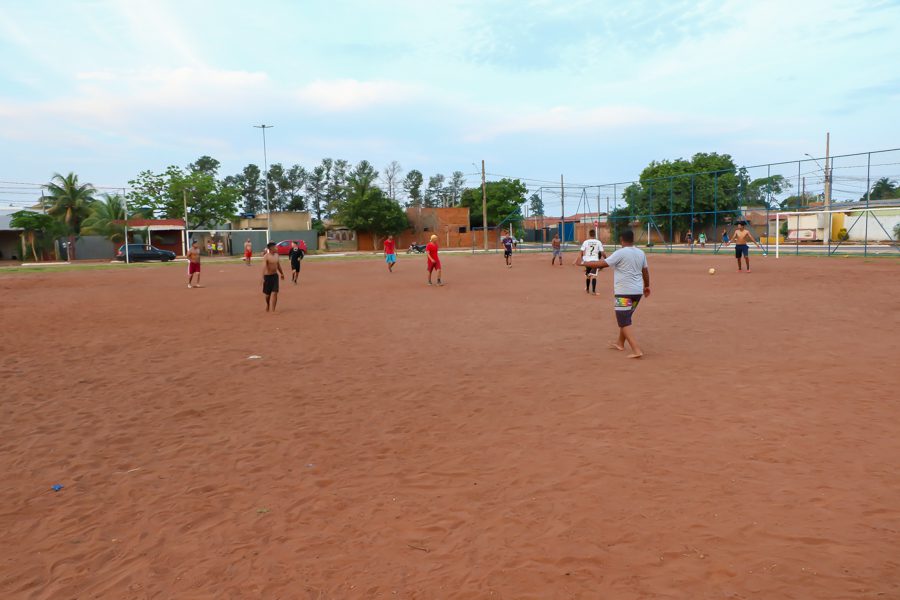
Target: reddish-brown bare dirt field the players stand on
471,441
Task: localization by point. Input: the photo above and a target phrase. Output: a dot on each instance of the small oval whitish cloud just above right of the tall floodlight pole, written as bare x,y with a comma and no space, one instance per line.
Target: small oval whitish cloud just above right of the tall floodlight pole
351,94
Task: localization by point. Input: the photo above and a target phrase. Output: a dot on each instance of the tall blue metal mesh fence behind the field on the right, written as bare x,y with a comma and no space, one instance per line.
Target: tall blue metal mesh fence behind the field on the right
696,212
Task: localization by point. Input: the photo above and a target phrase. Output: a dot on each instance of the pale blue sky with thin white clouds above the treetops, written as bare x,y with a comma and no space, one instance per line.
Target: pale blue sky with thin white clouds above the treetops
593,90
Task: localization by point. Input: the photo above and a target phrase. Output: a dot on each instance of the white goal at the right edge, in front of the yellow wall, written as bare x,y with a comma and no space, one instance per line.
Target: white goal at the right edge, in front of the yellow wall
808,222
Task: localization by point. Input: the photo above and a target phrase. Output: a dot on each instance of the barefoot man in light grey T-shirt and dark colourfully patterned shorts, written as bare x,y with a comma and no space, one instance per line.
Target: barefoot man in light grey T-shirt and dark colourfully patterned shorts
631,282
